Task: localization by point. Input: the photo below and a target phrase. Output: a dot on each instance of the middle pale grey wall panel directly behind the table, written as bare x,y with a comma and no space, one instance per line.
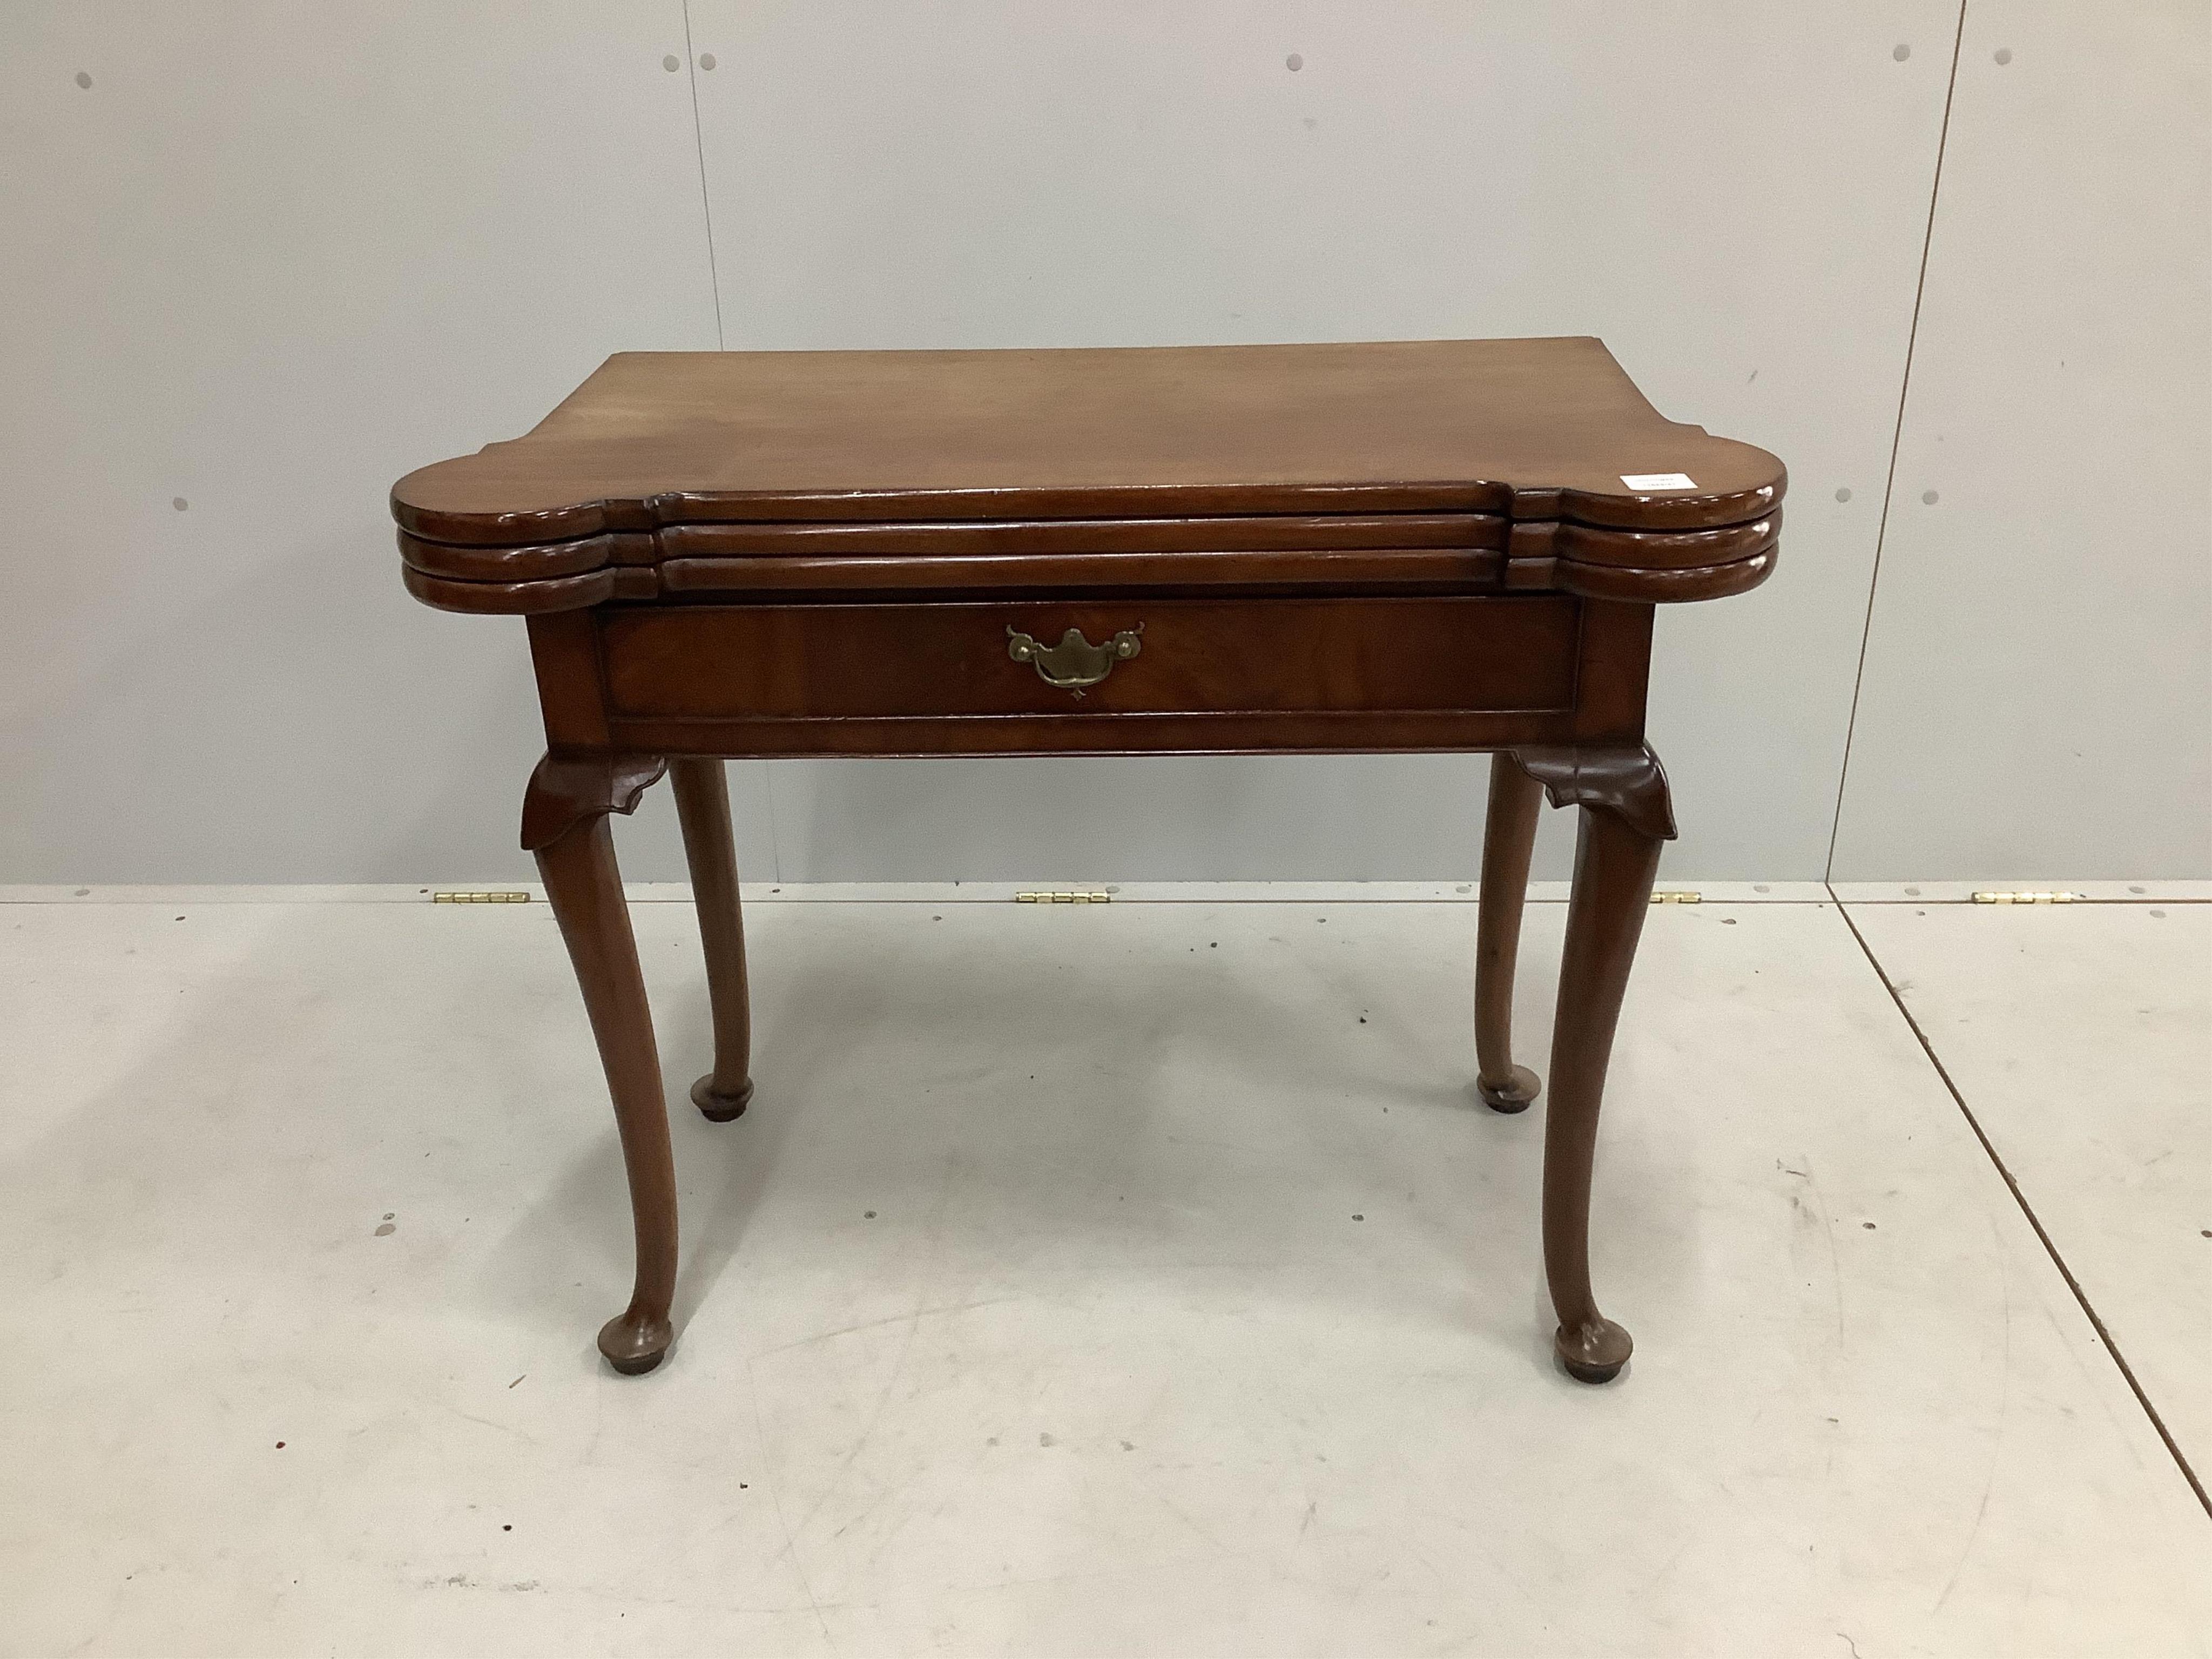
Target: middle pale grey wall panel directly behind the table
1733,196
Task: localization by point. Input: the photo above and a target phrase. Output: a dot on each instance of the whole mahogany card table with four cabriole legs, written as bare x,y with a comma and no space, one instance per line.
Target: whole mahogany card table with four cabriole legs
1397,547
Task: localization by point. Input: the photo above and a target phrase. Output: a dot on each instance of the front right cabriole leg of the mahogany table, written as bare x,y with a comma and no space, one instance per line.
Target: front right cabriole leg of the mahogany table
1625,817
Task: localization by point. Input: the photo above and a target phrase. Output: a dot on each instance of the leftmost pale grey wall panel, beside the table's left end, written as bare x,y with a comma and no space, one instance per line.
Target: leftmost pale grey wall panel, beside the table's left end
264,262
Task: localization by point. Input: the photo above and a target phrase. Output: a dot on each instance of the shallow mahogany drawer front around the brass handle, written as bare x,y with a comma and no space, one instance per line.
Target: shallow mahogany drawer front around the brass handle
1193,658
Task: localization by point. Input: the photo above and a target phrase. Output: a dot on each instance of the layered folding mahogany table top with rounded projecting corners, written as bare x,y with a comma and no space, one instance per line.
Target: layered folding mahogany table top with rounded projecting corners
1218,450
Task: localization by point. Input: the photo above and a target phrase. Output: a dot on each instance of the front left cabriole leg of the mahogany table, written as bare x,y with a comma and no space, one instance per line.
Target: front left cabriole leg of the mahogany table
565,824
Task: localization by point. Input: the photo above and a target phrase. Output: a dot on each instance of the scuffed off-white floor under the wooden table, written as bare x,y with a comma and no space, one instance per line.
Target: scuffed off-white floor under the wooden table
1127,1280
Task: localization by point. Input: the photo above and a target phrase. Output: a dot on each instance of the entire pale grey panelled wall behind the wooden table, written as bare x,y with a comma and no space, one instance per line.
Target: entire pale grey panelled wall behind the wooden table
273,258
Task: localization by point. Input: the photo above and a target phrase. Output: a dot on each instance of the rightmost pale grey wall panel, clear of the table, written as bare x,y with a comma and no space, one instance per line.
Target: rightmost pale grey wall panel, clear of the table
2038,687
